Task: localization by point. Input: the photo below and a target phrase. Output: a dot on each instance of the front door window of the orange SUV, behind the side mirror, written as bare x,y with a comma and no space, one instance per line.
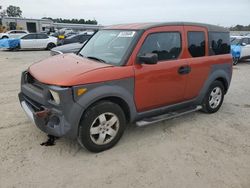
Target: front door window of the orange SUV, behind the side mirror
166,45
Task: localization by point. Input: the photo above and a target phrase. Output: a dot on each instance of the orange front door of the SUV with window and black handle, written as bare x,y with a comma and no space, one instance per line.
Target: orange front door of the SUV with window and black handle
163,83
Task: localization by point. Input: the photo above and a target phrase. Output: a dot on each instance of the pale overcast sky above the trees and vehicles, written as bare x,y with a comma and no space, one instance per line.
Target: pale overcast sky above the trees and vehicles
107,12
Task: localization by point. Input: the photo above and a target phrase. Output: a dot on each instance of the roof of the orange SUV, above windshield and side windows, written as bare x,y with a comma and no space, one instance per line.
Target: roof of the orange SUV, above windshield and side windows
145,26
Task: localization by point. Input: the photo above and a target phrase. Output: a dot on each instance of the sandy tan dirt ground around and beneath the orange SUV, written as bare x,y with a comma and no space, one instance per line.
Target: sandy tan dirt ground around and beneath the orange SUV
196,150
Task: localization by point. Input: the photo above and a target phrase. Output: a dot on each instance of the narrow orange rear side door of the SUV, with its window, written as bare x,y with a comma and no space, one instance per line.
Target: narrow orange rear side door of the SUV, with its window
197,58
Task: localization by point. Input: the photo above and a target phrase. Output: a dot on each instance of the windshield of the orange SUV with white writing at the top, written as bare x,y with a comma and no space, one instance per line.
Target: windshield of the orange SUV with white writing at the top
108,46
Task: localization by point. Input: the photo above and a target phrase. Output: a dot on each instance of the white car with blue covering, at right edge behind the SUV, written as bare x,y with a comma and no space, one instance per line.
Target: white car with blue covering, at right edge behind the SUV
240,48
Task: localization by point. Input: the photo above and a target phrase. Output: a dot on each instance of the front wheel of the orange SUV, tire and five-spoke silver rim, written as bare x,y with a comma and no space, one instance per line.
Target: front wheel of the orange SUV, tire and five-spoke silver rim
101,126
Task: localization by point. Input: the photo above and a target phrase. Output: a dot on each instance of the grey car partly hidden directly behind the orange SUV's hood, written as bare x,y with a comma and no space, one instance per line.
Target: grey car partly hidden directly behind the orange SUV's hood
67,48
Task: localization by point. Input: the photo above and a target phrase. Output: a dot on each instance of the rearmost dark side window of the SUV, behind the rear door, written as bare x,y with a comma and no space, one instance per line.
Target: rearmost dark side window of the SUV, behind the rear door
219,43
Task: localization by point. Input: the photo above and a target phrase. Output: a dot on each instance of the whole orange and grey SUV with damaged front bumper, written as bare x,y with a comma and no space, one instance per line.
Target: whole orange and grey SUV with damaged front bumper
142,73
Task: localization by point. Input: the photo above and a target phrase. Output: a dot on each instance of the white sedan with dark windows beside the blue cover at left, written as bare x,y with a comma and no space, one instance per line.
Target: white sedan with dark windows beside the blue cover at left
37,41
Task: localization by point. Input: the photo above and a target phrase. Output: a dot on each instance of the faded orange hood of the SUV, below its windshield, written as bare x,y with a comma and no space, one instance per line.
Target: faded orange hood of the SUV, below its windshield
64,70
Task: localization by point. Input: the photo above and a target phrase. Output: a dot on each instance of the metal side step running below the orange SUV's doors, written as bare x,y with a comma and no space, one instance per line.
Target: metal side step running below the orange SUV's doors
170,115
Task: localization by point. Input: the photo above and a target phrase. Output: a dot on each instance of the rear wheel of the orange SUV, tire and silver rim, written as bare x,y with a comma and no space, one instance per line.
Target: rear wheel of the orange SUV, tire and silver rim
214,97
